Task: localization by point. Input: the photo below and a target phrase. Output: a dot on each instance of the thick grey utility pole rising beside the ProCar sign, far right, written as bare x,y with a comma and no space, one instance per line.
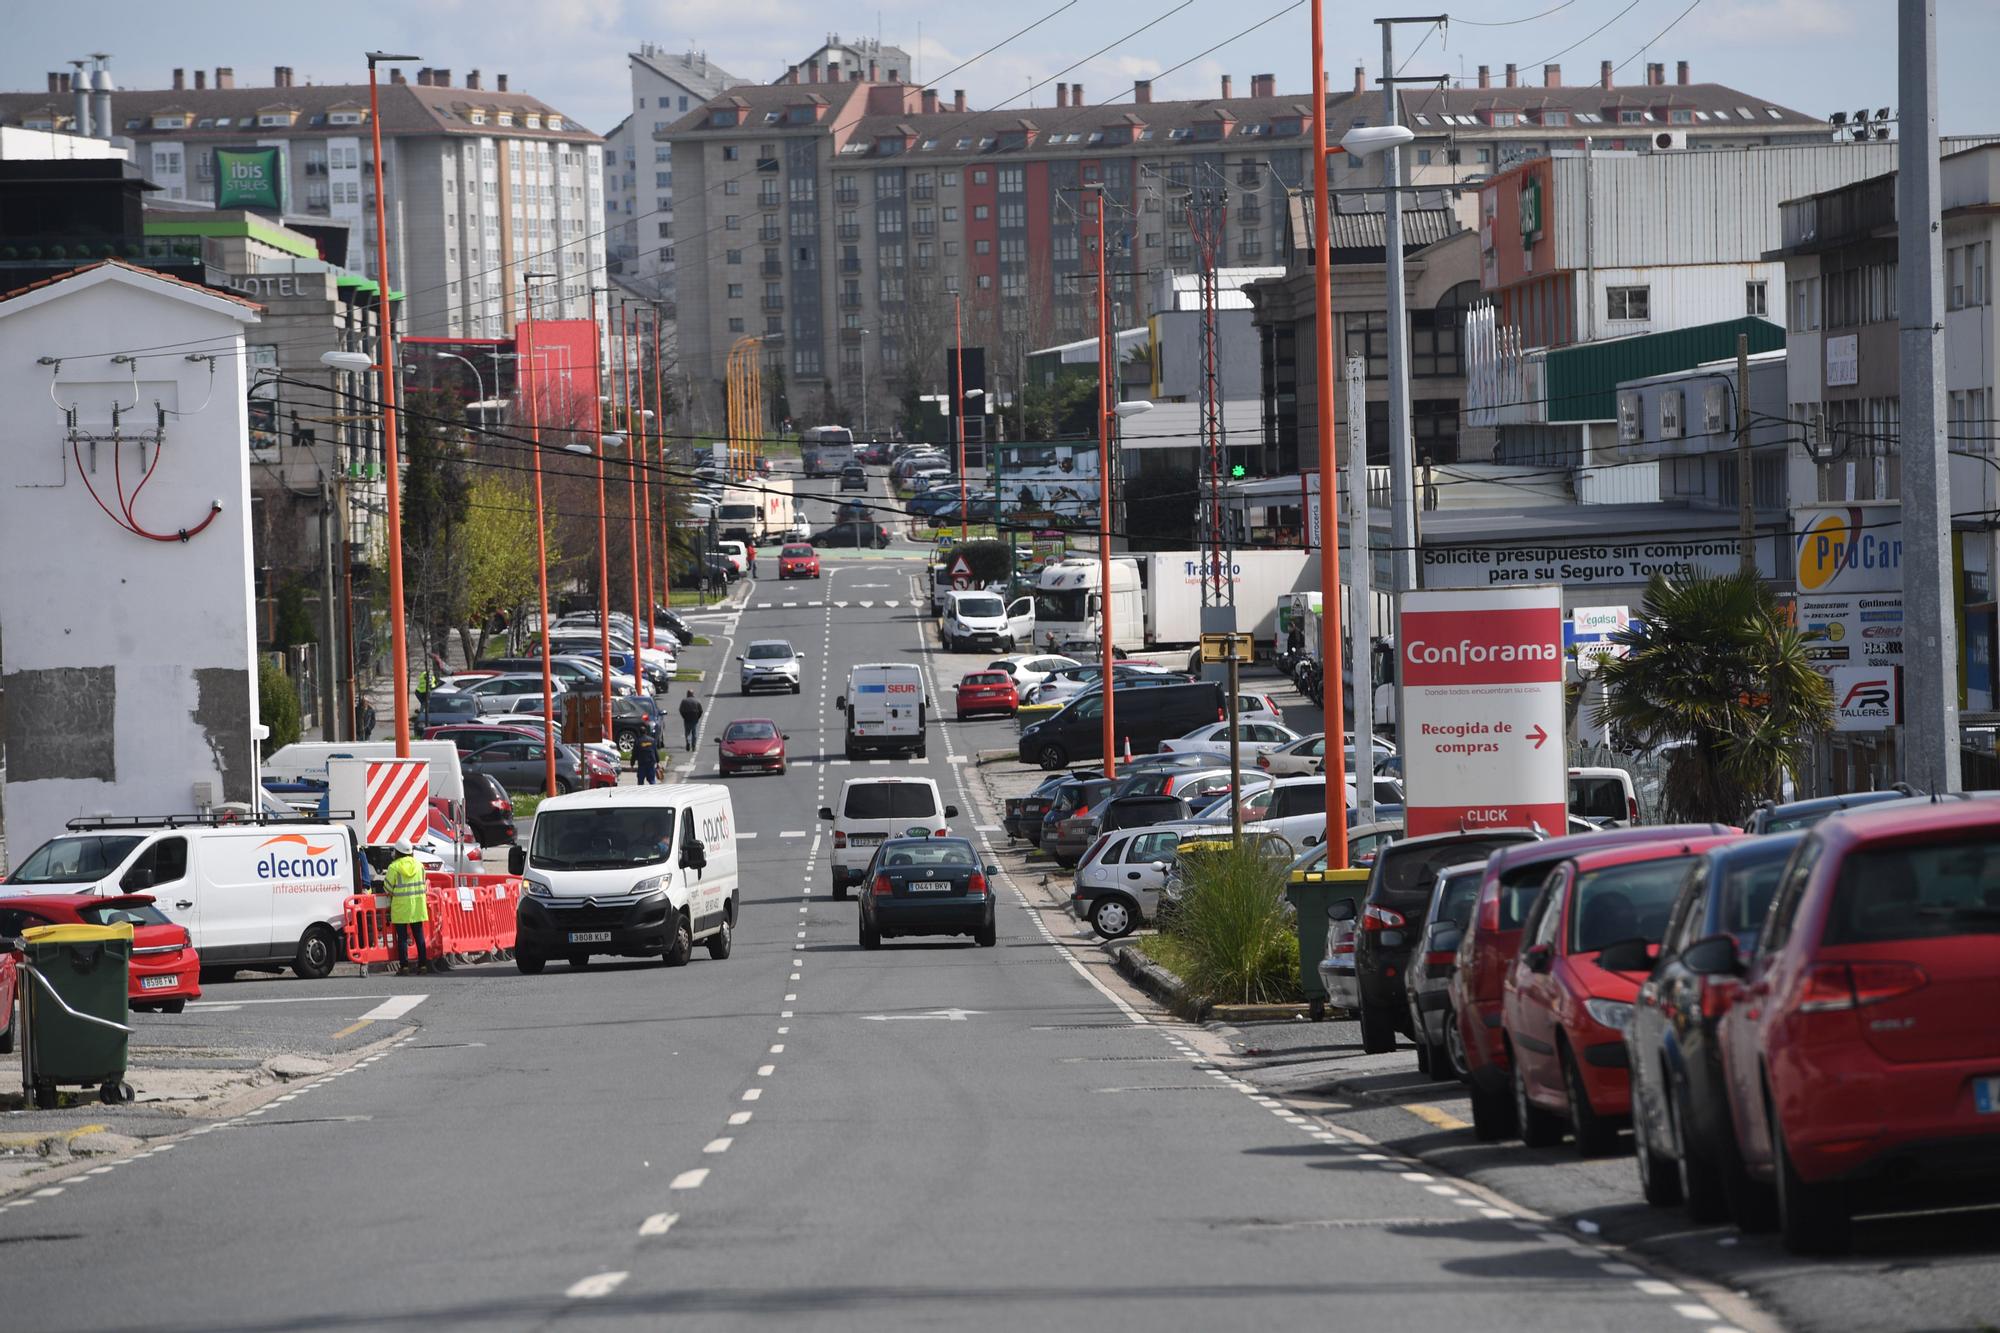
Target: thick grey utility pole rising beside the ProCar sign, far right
1931,661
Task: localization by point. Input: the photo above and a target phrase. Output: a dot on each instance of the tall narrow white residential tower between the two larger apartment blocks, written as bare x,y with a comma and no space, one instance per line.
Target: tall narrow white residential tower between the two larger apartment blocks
639,169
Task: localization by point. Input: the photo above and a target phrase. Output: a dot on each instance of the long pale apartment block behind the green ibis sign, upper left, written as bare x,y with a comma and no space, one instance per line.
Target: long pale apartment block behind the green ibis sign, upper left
487,183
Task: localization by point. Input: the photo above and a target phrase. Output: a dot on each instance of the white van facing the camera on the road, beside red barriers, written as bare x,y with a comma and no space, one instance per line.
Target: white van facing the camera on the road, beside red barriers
631,872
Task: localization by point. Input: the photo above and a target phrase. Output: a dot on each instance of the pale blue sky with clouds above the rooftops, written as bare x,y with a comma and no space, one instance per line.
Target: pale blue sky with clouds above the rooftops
1811,55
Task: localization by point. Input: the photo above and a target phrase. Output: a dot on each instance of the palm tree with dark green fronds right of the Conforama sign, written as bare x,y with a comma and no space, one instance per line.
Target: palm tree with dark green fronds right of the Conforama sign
1719,674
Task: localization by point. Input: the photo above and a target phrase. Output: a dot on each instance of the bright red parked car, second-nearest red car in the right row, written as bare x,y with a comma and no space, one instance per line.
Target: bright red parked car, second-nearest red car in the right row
1587,948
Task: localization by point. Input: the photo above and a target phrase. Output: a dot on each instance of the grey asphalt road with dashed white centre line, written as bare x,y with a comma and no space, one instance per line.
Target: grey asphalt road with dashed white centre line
929,1134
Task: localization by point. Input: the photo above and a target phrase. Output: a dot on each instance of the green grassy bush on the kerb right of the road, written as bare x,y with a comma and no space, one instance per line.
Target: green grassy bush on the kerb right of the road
1235,926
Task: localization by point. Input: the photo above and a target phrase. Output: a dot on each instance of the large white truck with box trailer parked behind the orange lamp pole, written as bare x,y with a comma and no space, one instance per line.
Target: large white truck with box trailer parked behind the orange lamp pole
1157,597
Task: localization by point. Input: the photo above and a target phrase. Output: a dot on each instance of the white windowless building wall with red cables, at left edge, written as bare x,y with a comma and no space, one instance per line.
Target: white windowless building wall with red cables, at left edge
127,625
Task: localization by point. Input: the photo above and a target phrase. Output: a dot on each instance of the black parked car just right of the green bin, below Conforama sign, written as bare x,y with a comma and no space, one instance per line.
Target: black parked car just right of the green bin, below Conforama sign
1399,892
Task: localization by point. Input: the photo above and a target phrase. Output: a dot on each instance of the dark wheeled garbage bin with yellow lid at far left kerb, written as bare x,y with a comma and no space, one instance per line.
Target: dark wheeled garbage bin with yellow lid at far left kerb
75,1006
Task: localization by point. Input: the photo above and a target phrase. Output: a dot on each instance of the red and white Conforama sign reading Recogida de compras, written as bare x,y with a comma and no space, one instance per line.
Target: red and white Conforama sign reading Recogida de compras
1483,710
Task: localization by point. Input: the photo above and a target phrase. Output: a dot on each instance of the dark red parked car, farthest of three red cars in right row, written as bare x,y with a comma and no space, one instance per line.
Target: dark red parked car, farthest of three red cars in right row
1487,952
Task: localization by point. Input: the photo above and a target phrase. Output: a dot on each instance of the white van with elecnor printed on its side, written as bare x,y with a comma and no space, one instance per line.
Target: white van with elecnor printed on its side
255,894
